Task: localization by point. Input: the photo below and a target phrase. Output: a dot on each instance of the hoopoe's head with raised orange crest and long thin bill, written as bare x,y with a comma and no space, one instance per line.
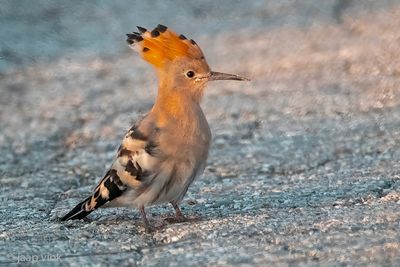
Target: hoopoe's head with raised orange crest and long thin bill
179,62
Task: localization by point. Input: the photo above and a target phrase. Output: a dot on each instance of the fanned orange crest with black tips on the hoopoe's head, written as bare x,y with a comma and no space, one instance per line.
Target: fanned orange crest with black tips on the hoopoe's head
162,45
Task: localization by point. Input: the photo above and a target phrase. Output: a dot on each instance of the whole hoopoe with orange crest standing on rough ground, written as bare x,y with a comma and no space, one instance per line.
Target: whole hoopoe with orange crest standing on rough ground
166,150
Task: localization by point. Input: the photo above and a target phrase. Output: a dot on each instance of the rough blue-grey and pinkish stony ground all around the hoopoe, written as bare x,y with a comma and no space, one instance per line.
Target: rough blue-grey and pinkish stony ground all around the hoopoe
304,166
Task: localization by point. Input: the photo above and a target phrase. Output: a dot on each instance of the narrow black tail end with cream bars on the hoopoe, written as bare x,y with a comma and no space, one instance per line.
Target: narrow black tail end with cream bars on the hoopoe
109,188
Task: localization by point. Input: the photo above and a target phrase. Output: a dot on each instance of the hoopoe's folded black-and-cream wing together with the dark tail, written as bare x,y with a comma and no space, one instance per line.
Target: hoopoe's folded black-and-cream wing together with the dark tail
137,162
